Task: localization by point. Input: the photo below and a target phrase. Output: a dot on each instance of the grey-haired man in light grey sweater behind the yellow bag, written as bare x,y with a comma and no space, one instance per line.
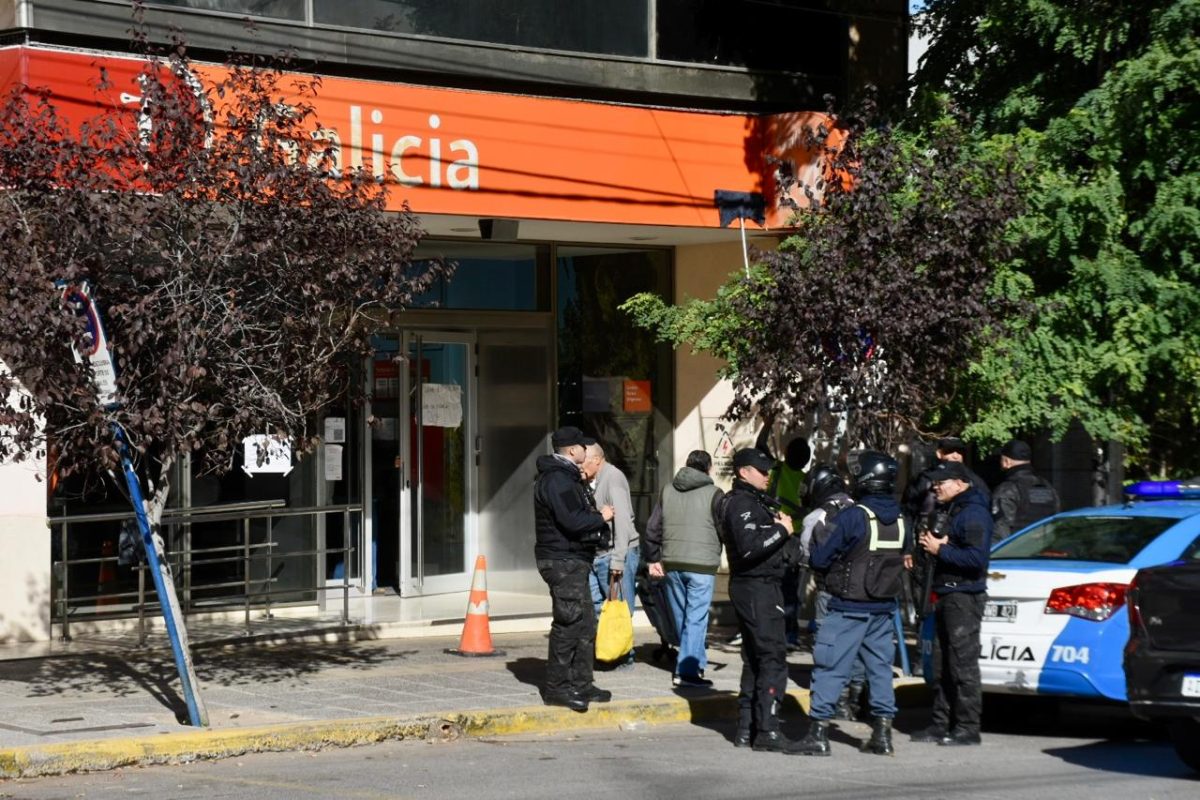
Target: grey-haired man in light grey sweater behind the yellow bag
611,489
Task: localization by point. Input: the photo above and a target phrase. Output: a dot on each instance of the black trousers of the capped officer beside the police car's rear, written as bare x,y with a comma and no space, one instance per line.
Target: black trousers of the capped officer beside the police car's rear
958,693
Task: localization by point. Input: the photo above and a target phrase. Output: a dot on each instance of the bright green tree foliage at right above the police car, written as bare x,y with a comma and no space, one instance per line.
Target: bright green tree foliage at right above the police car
1105,98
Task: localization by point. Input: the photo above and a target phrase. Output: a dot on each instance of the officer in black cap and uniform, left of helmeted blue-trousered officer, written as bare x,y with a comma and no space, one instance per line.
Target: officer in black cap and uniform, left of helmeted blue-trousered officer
760,545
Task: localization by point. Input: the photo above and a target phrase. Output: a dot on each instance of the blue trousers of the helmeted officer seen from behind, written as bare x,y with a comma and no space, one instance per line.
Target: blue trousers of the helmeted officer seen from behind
845,637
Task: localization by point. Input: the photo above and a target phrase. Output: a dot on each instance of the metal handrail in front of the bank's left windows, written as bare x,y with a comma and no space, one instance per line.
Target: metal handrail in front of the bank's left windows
184,562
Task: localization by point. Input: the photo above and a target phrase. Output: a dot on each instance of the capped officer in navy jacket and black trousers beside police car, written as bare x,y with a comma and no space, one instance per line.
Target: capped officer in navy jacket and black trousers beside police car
961,584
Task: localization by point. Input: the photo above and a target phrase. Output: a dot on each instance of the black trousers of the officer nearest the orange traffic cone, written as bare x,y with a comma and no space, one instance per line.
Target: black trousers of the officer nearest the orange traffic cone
573,631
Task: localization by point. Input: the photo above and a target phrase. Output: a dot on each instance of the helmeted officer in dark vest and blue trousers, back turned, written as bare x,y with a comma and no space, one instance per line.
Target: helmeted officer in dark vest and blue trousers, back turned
863,560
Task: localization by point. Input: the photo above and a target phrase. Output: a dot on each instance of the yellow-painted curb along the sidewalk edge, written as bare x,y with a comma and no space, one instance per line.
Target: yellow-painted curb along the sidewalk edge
40,761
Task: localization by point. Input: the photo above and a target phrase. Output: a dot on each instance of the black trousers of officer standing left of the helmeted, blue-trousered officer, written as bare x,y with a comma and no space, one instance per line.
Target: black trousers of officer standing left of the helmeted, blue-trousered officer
760,609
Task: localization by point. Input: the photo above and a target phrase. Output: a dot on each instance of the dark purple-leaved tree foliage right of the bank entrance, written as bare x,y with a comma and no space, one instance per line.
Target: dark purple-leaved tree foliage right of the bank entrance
877,304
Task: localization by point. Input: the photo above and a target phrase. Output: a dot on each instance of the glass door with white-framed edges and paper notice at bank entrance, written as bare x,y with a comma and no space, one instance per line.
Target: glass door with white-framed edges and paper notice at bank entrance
437,464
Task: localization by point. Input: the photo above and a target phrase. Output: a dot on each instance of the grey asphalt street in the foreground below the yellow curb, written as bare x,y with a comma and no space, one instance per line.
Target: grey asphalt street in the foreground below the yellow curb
1093,759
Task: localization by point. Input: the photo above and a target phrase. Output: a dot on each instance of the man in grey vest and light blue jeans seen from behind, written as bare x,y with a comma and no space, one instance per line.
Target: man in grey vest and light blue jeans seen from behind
682,543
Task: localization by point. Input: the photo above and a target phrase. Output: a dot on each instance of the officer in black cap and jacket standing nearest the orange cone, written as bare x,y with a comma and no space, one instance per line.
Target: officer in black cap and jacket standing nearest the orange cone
569,528
